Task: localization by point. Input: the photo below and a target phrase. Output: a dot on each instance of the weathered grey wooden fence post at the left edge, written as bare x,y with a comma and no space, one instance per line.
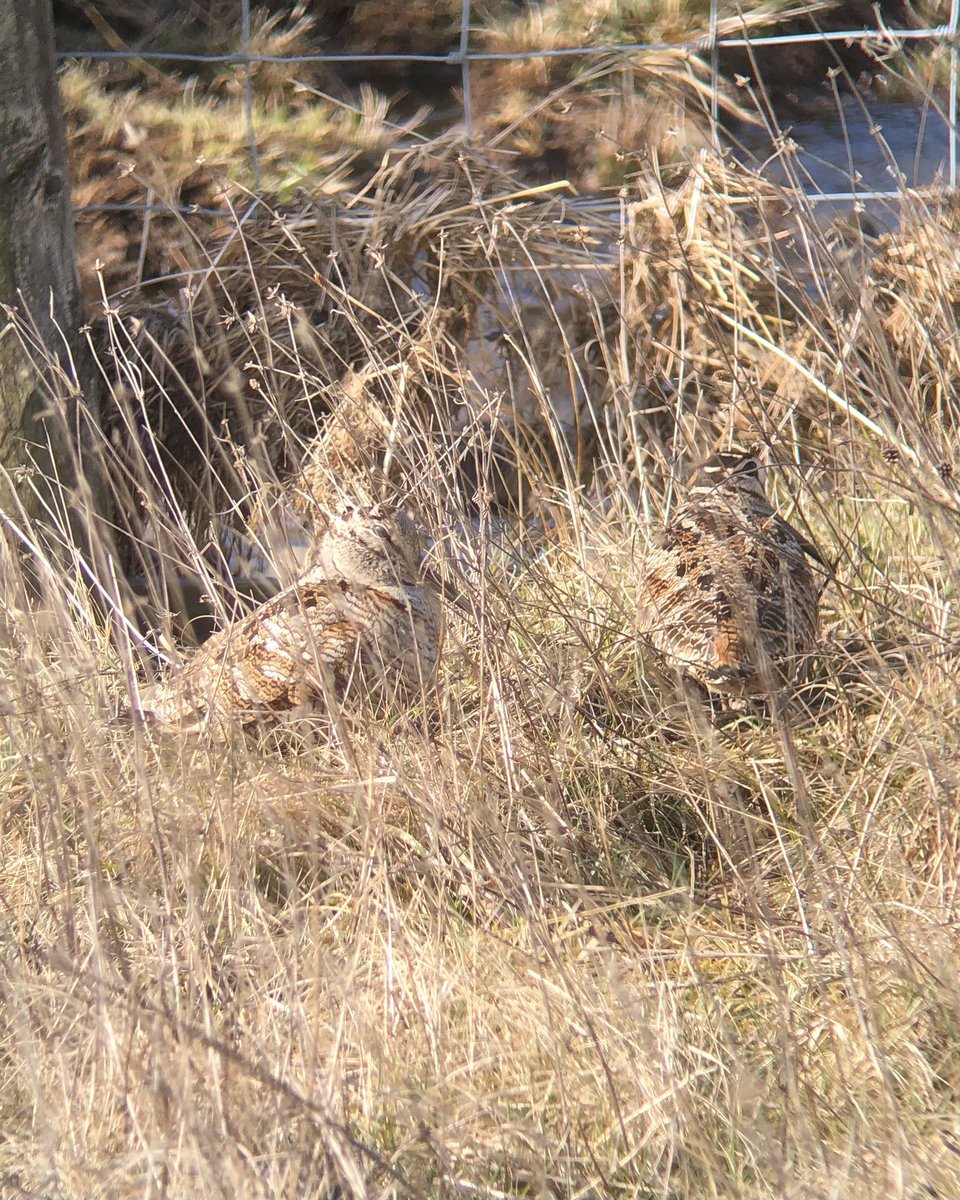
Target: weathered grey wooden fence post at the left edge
39,278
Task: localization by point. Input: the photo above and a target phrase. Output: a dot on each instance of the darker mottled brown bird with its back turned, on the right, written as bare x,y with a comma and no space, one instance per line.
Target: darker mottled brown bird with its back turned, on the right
728,595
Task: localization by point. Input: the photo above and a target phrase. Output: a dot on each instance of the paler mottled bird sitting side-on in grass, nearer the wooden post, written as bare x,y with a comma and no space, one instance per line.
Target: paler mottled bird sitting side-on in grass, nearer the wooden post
364,619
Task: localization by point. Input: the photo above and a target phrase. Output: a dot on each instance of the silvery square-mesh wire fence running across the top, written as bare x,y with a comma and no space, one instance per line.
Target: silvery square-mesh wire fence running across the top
710,47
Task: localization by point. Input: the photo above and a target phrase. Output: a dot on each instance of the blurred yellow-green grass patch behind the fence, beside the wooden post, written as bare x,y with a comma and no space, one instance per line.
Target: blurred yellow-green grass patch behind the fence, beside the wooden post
170,148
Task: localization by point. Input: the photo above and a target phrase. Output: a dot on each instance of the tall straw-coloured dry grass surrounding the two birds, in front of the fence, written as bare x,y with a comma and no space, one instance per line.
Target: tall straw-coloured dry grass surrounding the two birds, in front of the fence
554,934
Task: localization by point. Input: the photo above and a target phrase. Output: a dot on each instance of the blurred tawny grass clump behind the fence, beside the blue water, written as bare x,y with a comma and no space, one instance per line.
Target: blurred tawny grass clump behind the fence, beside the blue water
598,118
